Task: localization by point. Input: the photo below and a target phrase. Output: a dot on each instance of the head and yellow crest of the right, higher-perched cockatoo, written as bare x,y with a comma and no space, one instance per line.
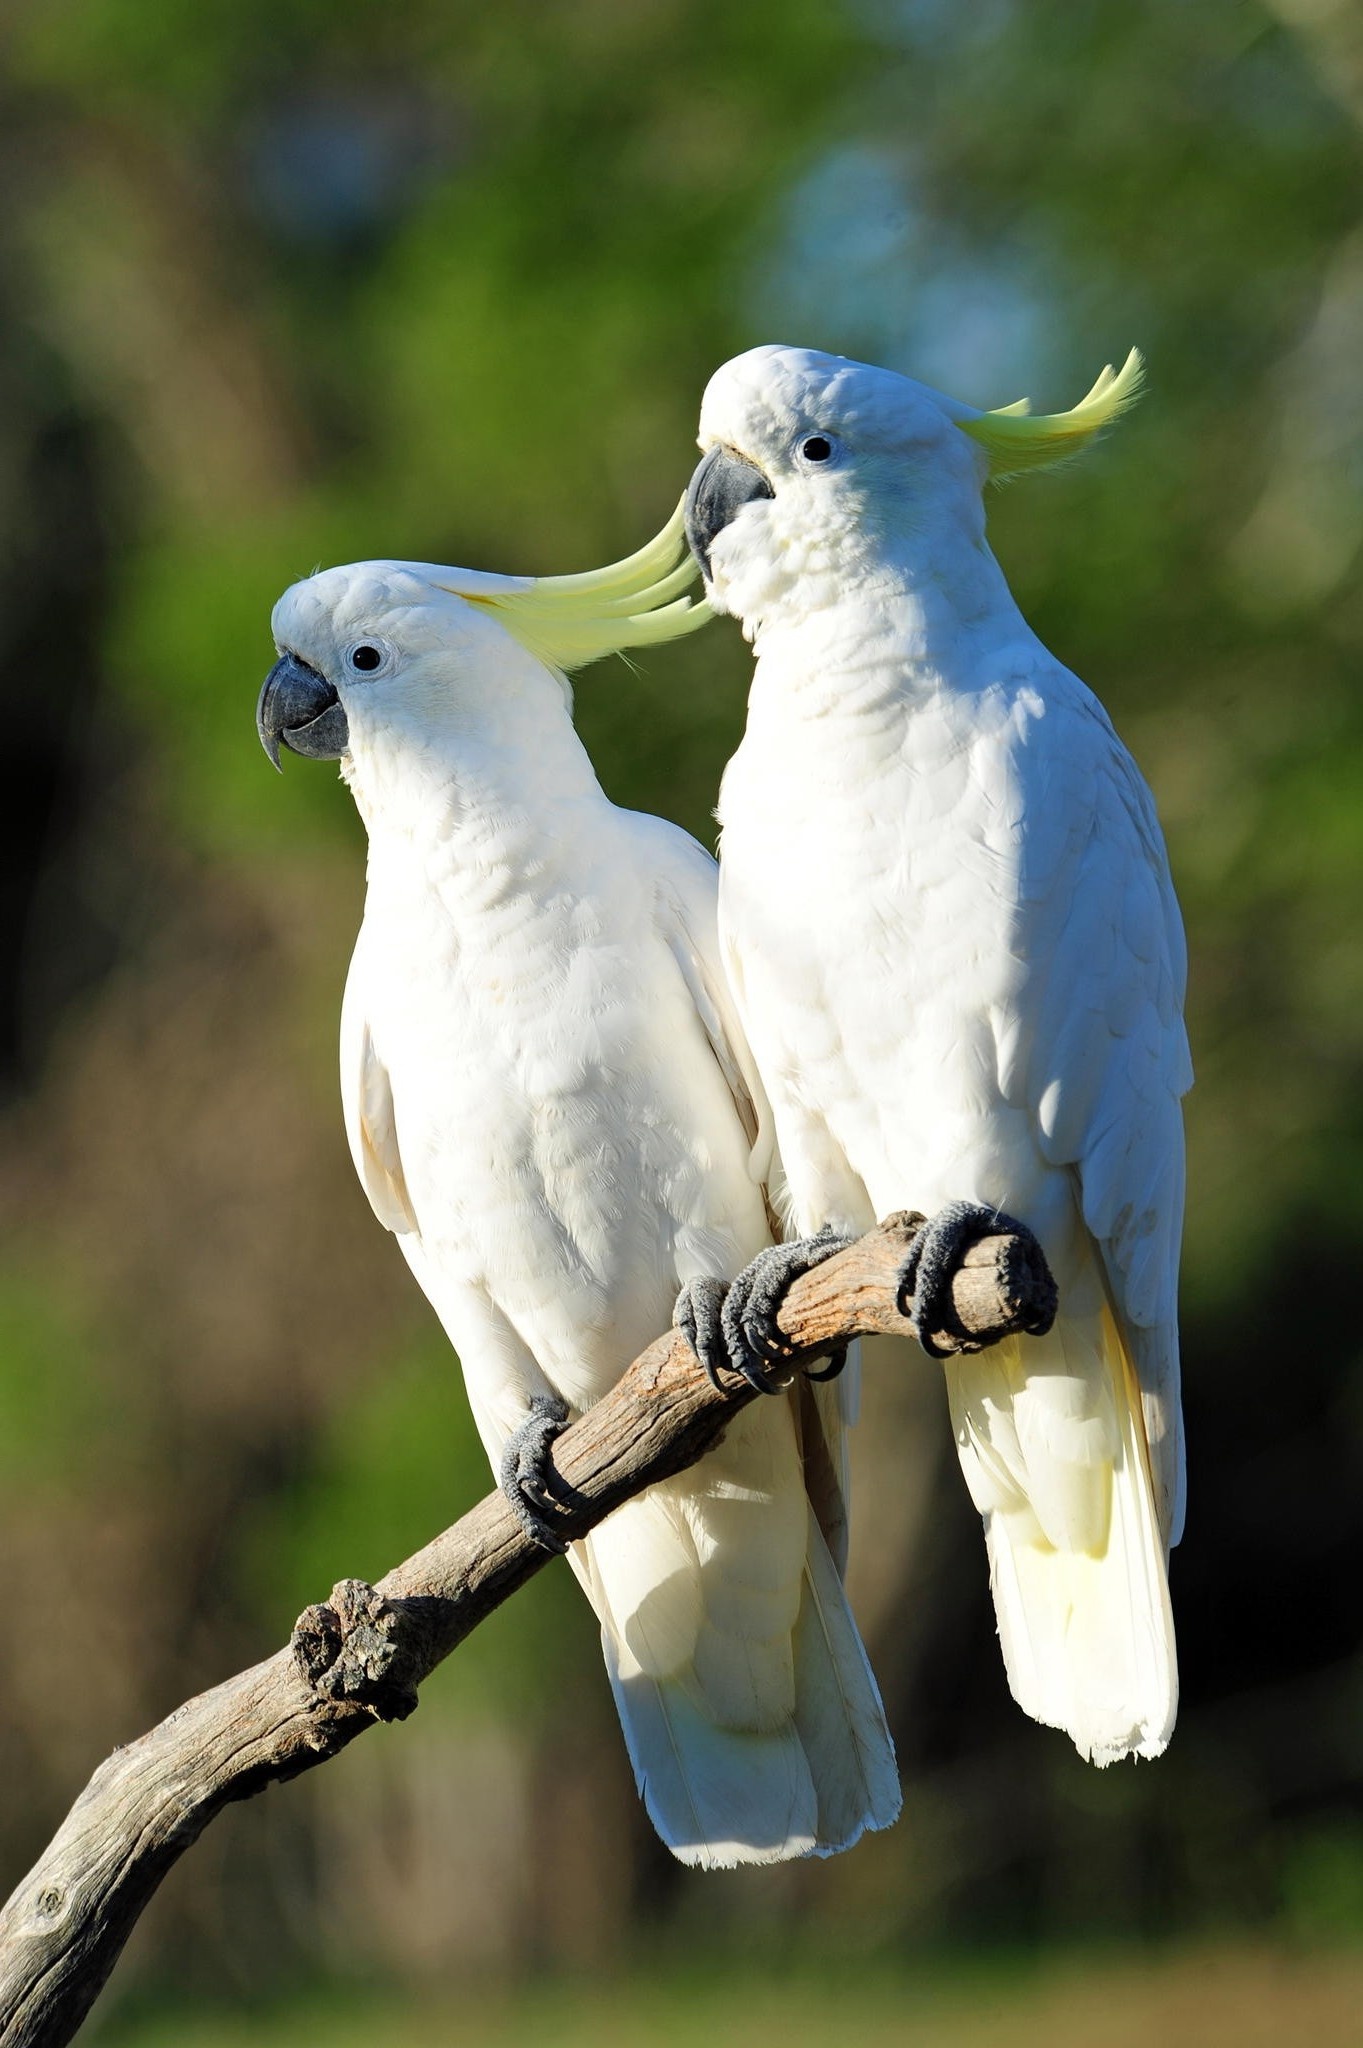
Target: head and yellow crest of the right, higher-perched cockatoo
816,466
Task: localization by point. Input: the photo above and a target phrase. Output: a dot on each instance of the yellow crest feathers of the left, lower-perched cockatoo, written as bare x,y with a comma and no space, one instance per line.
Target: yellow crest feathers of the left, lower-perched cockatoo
637,603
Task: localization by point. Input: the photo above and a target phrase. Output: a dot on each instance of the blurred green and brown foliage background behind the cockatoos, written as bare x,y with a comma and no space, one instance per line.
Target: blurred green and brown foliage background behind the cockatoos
290,284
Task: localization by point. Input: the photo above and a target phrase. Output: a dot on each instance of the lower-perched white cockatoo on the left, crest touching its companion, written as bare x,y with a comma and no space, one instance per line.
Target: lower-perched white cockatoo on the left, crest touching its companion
552,1105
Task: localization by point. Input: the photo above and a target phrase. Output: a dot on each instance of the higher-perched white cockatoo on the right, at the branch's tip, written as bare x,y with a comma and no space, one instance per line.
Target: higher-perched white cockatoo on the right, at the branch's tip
953,941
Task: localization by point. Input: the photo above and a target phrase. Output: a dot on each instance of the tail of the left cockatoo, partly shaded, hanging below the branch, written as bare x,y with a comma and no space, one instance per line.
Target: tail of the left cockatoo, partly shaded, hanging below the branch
748,1703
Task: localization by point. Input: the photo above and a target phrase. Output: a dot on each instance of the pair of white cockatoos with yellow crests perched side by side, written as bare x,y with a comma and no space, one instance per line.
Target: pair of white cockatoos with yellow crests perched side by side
940,962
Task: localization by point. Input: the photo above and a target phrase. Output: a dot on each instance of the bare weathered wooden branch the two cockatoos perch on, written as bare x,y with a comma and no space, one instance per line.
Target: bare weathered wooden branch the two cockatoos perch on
363,1656
